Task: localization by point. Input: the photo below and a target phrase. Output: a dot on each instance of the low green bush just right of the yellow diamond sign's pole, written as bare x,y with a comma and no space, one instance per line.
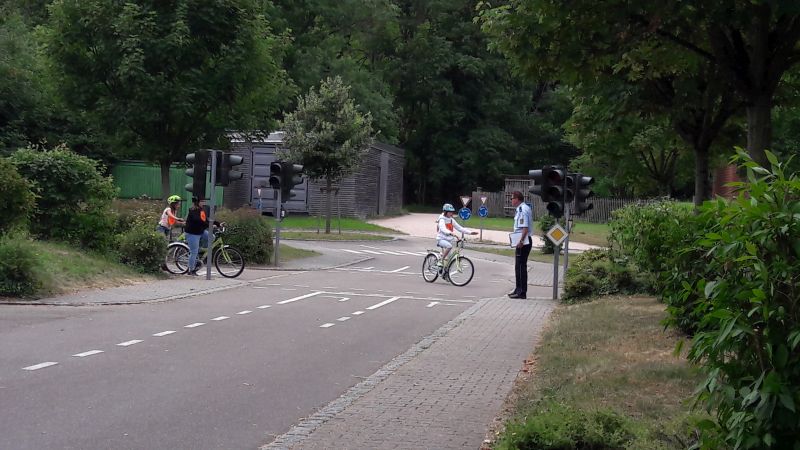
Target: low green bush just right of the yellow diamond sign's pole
595,272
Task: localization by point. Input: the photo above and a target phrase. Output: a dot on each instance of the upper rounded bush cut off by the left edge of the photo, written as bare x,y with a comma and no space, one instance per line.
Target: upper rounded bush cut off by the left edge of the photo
18,199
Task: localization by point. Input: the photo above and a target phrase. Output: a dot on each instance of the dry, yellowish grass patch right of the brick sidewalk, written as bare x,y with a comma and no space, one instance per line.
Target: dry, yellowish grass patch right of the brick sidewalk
613,354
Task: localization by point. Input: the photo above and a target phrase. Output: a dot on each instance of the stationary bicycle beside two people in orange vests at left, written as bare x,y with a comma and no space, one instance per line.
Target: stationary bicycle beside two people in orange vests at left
228,261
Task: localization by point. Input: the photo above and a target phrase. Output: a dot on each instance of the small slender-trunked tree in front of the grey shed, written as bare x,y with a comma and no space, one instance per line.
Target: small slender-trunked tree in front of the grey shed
328,135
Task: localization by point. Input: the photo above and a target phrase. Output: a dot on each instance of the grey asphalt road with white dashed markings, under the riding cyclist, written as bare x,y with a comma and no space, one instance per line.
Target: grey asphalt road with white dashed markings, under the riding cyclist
230,369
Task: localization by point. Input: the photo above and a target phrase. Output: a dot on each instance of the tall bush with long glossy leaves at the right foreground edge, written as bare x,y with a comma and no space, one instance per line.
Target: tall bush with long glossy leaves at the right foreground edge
746,298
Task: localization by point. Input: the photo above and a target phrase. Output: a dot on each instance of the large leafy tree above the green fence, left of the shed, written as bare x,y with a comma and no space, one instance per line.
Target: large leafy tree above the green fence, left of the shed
167,77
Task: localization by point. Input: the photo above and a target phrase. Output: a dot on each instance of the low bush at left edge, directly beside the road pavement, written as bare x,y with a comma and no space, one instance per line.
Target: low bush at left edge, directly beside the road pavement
20,273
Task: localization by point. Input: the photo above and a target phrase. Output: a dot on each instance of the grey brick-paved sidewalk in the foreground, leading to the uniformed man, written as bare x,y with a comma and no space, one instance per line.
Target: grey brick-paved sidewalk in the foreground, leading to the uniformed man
441,394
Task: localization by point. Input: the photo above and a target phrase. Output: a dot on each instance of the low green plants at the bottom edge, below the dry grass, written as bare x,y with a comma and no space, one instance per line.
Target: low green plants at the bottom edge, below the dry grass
558,427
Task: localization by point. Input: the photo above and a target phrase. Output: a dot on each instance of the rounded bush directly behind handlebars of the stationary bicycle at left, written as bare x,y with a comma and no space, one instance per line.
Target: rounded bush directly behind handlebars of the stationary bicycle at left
249,232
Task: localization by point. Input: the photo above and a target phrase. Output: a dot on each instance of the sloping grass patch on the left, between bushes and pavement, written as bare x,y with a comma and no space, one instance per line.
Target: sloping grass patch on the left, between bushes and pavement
67,269
